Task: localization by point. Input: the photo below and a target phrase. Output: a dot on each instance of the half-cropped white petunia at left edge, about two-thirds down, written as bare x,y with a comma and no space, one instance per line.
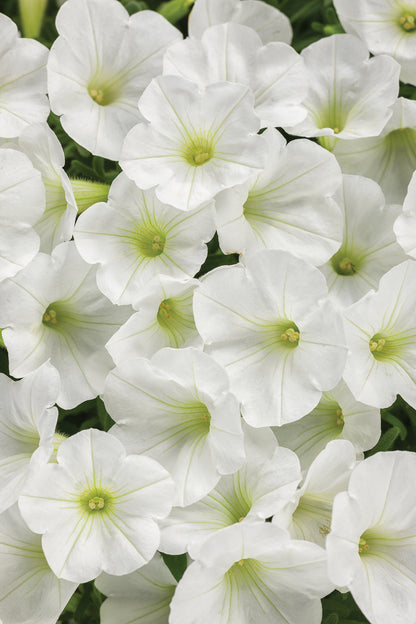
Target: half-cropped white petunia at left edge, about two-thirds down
27,427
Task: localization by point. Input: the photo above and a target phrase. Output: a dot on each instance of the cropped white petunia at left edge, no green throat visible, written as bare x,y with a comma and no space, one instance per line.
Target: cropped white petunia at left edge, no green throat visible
22,202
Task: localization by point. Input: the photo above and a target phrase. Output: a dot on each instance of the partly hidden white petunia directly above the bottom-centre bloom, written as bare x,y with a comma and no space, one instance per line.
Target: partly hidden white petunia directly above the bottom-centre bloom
254,493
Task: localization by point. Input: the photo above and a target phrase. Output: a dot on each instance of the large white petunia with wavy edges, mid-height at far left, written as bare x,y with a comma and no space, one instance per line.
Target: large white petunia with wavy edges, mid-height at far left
53,310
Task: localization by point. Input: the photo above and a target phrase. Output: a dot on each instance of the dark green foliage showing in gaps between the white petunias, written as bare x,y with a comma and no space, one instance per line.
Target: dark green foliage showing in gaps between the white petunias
311,20
